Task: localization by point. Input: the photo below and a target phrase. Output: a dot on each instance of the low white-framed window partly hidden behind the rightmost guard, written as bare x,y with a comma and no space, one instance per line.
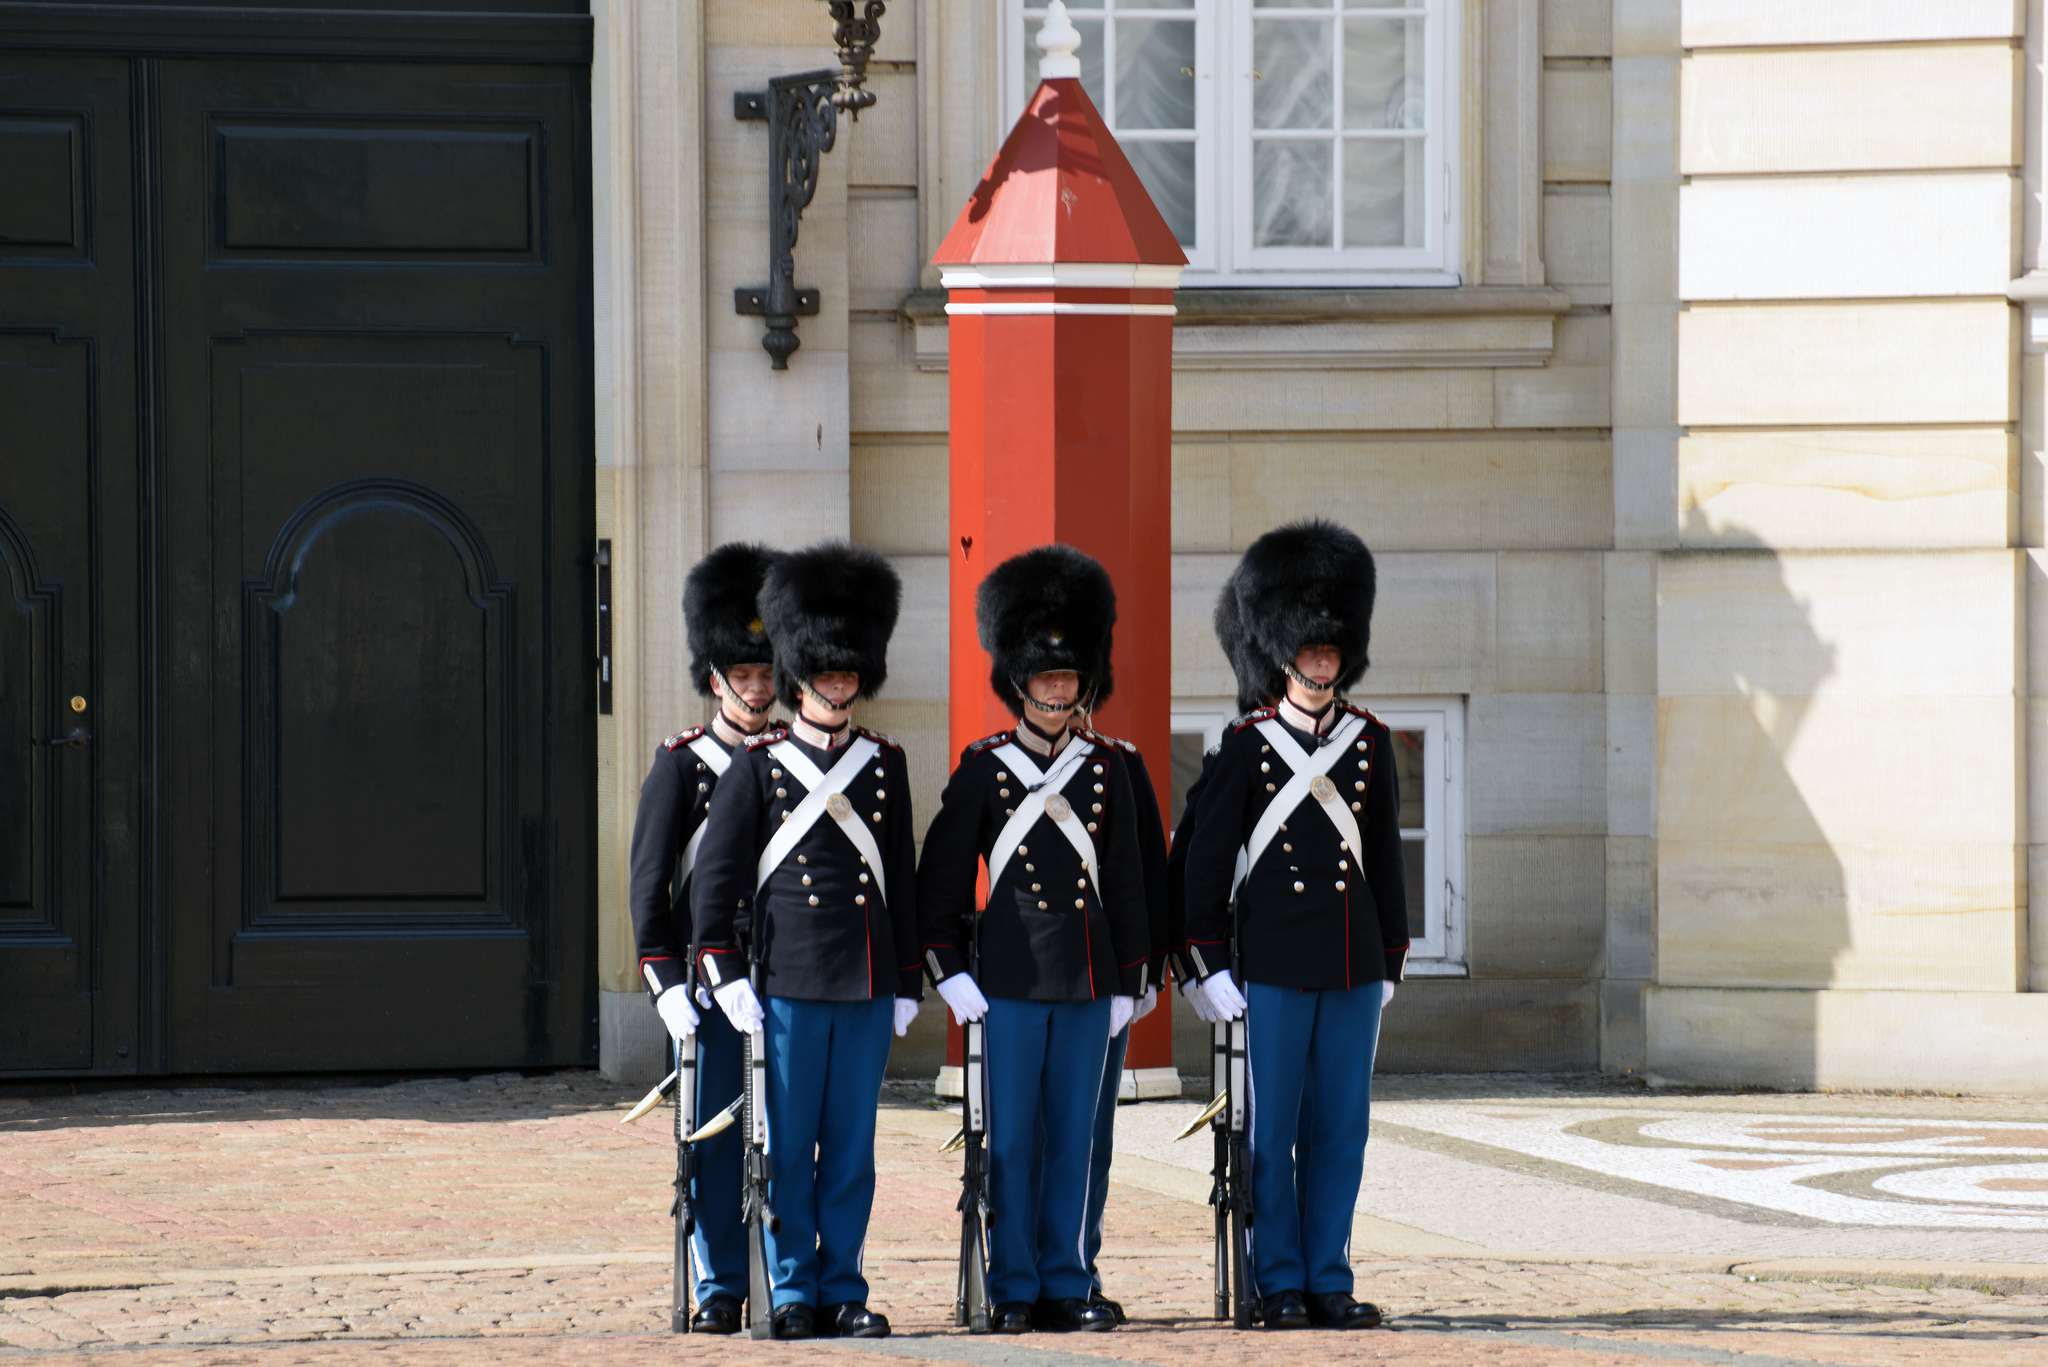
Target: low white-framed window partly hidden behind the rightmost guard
1431,770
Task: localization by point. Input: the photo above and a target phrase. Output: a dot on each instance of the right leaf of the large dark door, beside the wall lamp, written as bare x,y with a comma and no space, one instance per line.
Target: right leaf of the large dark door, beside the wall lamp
380,497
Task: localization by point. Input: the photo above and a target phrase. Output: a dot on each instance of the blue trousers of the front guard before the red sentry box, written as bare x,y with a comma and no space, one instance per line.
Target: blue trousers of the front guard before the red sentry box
1046,1069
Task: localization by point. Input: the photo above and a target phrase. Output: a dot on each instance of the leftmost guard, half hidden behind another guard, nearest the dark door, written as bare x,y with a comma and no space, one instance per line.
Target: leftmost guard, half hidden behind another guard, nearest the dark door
732,663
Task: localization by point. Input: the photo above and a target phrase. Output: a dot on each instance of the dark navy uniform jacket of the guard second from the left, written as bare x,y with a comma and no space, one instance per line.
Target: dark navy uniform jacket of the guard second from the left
822,927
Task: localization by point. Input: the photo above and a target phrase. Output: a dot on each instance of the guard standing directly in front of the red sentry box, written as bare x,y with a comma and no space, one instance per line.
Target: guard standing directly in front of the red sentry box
1064,942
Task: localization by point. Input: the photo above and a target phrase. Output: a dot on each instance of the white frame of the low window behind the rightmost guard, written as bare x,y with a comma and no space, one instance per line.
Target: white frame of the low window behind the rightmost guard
1437,929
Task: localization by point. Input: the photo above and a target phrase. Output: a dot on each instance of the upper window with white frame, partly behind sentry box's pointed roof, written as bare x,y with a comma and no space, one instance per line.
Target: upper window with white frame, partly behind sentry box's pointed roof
1287,142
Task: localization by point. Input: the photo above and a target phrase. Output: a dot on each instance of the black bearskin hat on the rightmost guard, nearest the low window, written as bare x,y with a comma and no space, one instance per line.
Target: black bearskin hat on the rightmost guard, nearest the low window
1306,585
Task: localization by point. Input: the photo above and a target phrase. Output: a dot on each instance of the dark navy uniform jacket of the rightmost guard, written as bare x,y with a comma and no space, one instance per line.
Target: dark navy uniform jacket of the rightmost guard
1306,917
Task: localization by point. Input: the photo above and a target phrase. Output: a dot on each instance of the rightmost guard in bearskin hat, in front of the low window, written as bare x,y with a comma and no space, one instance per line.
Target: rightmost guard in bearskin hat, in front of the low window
1299,825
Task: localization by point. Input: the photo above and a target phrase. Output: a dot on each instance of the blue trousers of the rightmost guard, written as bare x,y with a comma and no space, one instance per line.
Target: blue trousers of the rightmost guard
1320,1044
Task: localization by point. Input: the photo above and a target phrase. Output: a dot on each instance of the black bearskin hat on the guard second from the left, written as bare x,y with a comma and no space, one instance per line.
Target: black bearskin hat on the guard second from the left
830,608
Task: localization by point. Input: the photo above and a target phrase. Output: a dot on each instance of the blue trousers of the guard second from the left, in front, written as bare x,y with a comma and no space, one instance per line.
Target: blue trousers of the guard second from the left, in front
826,1067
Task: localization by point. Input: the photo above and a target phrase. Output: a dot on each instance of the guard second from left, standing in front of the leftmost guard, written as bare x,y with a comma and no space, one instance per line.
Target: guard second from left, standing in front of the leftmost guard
812,847
